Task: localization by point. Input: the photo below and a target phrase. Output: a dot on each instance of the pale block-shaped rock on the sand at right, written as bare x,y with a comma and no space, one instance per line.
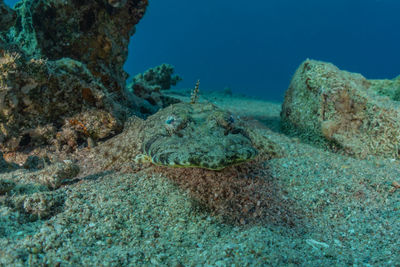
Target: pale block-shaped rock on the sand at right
343,109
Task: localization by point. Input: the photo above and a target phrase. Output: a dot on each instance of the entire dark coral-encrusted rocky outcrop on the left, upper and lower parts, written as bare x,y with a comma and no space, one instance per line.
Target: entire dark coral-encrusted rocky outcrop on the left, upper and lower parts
61,75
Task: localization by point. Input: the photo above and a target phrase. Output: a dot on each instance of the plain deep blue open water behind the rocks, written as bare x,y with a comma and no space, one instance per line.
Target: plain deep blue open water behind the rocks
254,47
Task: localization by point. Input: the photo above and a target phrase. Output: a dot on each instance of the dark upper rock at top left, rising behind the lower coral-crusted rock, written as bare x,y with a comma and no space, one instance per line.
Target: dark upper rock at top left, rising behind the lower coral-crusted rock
94,32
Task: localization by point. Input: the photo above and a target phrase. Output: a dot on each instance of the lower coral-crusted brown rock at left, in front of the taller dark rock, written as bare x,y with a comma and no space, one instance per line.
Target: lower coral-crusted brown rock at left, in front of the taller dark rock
37,97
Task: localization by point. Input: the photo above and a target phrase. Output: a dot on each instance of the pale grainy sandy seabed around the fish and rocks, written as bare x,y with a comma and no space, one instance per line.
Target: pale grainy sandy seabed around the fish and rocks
349,214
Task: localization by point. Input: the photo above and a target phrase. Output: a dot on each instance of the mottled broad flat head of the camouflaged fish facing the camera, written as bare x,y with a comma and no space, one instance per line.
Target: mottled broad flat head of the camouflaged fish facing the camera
195,135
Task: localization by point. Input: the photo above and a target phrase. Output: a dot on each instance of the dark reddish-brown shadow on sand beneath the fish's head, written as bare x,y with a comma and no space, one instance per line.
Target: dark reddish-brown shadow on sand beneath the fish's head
238,195
